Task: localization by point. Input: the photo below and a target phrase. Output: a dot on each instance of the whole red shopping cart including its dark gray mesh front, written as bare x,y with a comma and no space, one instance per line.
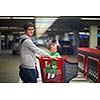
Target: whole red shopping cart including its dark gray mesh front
64,72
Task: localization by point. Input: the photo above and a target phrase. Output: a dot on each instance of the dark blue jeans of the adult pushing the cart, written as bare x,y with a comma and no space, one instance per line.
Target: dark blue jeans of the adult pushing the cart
28,75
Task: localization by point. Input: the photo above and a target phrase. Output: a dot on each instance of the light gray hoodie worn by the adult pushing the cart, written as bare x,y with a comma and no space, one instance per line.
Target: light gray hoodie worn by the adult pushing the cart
27,52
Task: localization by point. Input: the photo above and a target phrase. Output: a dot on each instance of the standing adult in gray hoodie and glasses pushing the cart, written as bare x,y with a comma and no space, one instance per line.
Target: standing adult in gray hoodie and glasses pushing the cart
28,51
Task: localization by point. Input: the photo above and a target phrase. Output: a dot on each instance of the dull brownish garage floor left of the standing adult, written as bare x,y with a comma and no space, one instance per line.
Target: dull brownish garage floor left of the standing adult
8,67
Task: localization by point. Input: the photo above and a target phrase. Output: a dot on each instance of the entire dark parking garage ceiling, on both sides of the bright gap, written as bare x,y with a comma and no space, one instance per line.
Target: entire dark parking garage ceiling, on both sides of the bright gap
61,25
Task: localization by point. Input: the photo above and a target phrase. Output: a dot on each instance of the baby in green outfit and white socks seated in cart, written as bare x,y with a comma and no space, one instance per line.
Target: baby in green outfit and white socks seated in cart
54,53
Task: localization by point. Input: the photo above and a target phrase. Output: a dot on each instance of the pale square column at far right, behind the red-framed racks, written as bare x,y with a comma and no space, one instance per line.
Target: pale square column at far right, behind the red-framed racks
93,36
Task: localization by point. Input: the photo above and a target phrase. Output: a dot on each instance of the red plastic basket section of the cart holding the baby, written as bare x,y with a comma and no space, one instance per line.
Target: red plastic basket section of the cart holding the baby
44,61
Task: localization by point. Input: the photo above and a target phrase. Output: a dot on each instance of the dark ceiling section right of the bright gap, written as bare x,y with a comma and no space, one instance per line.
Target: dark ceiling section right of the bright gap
69,24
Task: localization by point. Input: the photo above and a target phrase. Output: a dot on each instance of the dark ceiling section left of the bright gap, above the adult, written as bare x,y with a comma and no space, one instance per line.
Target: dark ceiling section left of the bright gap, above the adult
13,24
